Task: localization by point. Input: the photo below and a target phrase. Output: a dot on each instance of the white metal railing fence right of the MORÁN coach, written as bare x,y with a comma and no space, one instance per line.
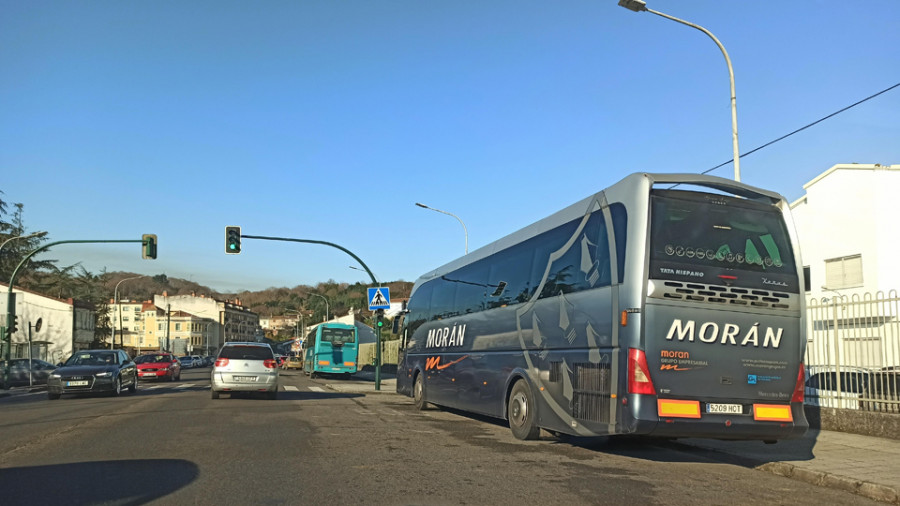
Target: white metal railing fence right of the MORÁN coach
853,352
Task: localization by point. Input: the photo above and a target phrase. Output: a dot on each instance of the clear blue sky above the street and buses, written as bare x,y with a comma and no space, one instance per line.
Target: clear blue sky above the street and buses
328,120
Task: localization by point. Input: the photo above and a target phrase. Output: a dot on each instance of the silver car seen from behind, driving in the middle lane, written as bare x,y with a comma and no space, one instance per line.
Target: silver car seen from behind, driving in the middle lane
245,367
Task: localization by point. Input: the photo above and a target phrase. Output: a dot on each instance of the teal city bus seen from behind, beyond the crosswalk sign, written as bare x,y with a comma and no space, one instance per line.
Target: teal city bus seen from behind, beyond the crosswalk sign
332,348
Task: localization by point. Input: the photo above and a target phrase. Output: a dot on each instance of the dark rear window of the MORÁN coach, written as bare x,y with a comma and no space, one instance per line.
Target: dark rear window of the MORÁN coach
699,234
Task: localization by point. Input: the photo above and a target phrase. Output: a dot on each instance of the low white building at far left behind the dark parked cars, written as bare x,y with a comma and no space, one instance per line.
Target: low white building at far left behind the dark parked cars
66,325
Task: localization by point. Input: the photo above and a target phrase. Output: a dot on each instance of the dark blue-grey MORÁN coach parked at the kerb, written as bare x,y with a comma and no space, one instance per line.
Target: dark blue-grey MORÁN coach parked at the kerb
667,305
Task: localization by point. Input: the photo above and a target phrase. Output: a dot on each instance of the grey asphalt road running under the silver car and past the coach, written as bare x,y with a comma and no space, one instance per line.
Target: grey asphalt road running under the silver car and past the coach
170,443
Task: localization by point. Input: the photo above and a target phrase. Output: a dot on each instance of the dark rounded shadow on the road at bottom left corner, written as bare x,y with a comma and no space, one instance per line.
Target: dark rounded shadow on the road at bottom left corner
123,482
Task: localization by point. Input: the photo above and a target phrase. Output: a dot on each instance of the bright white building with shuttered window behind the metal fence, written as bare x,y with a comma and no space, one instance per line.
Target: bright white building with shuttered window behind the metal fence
847,226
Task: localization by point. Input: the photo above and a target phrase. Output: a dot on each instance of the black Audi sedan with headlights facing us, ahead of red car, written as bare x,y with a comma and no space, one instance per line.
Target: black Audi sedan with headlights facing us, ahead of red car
93,371
